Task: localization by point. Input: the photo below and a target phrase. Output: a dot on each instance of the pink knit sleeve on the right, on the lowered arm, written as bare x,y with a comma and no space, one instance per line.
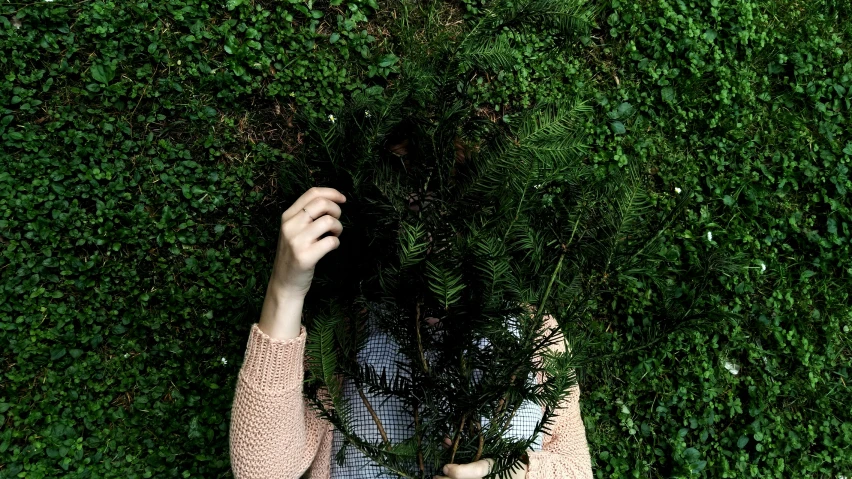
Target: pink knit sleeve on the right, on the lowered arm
564,452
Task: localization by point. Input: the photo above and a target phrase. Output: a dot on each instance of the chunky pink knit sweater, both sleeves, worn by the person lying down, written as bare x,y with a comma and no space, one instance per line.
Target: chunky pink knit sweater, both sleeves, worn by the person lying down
276,435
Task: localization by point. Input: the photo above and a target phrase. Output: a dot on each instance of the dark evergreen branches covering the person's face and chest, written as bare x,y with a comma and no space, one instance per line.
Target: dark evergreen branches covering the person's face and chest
478,243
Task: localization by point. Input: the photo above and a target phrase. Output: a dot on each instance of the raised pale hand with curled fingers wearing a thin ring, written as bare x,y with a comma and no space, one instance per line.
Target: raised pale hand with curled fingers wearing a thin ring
299,246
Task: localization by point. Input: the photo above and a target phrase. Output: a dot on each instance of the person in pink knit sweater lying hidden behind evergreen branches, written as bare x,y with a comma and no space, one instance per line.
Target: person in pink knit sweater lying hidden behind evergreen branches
274,433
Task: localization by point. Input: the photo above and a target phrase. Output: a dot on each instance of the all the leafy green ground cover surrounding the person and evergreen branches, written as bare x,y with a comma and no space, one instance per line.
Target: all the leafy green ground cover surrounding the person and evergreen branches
140,147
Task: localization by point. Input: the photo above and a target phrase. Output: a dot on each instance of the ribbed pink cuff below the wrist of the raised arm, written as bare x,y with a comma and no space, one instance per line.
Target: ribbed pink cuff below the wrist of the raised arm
274,365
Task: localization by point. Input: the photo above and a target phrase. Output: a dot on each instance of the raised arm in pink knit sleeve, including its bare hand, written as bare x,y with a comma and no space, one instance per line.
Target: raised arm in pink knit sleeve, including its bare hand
274,433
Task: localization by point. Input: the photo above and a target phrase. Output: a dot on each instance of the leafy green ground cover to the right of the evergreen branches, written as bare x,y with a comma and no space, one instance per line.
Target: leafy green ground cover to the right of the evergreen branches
748,103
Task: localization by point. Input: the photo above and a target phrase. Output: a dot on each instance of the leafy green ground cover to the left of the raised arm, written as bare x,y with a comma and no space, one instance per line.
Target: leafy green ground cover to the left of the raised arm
140,148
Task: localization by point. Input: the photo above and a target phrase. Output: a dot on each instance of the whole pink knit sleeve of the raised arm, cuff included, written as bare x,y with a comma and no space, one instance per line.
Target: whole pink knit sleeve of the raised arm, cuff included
274,434
